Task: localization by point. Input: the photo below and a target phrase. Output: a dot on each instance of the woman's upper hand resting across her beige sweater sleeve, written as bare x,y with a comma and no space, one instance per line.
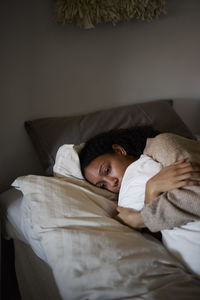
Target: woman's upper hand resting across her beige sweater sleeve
177,175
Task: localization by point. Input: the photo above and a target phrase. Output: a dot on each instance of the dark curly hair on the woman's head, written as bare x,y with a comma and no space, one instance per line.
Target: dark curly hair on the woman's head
133,140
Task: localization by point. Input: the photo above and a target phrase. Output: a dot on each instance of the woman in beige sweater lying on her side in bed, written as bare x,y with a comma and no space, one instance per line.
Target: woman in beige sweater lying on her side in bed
103,164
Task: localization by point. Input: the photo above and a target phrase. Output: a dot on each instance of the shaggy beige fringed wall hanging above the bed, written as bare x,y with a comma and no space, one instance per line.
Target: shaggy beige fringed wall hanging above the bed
88,13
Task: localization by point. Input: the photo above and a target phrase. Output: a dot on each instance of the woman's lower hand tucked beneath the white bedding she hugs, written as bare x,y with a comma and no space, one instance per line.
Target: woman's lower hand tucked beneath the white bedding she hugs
130,217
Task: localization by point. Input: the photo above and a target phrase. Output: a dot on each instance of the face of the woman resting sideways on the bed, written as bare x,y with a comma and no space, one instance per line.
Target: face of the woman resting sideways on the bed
107,170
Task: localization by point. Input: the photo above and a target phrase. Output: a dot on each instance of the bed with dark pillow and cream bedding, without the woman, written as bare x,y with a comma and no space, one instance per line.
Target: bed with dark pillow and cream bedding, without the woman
68,245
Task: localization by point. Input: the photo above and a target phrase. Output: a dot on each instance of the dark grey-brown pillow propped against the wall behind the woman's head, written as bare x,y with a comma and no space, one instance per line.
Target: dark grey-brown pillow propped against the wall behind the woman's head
48,134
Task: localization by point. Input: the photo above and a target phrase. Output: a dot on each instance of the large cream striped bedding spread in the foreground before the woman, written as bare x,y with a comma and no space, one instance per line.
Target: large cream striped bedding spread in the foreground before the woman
92,255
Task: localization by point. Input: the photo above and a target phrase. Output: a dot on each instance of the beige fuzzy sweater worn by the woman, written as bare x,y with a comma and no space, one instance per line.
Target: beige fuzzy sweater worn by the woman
180,205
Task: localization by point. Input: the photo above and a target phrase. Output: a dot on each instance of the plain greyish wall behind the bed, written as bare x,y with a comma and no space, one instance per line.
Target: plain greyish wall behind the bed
51,70
